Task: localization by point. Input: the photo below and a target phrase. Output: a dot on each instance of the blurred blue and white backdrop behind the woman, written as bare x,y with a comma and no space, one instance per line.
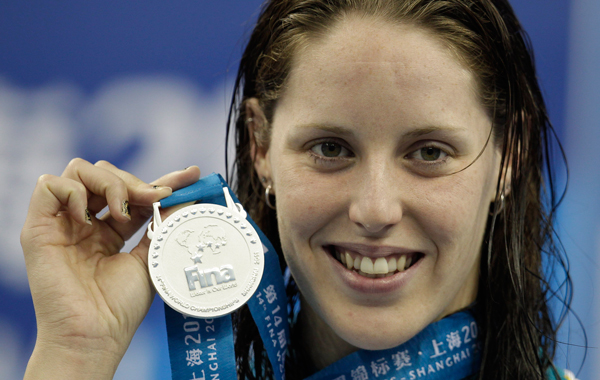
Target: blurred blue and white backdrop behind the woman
104,79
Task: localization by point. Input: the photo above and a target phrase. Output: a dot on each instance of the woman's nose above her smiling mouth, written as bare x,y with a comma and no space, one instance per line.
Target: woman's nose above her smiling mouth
376,204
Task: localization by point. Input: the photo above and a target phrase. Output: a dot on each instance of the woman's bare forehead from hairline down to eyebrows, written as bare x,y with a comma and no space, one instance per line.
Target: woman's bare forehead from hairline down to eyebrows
384,66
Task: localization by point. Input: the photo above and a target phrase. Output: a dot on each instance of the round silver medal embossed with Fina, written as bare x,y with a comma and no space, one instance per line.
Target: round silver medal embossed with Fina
205,260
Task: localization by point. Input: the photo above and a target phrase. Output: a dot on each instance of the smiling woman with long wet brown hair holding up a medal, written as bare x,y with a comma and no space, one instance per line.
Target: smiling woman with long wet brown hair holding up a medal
404,143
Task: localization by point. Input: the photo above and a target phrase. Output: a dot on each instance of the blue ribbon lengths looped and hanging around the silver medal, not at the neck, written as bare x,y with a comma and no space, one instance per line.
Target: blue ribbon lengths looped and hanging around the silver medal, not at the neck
208,353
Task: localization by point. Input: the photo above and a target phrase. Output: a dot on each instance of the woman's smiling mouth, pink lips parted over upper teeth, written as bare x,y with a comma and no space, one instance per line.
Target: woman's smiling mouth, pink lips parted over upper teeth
373,267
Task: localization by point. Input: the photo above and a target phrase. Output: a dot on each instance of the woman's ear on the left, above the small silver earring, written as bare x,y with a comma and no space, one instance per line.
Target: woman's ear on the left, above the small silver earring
257,125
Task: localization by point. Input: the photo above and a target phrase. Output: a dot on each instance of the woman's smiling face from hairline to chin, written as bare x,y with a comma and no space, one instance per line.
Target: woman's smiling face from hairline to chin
369,140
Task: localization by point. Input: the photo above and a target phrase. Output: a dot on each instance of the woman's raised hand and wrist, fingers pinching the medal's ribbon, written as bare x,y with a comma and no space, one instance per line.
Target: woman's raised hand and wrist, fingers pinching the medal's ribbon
89,297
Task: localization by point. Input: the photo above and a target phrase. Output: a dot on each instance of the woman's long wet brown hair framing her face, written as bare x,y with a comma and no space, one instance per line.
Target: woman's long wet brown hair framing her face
519,258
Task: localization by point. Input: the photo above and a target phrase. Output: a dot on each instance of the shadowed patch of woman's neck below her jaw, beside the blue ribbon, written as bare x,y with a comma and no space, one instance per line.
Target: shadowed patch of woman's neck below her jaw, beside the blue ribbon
318,342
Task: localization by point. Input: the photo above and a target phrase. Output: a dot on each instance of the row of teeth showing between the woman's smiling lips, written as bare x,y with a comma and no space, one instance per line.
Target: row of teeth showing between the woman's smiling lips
382,267
